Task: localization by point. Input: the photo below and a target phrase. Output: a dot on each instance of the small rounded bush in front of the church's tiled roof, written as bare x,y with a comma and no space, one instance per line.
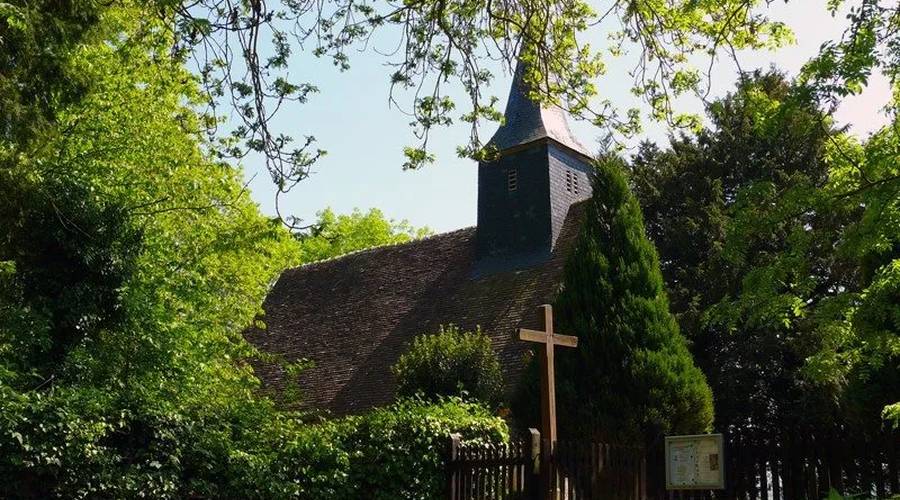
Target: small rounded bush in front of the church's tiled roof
451,363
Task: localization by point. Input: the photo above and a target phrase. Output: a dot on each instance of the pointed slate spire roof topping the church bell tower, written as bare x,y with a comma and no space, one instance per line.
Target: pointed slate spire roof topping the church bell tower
528,121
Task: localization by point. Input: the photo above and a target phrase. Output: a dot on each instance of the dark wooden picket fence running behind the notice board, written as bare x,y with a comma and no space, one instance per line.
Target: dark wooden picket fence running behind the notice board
805,468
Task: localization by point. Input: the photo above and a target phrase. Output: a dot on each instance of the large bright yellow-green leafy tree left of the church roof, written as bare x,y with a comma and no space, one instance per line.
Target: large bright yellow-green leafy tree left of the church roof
132,263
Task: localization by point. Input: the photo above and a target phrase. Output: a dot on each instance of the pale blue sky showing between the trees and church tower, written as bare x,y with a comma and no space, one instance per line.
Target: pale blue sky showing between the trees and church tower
364,136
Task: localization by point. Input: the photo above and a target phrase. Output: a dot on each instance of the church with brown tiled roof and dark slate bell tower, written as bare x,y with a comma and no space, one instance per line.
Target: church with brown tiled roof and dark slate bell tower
353,316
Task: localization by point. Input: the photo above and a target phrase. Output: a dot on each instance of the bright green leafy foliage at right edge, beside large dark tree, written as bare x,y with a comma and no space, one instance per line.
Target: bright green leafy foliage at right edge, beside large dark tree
864,347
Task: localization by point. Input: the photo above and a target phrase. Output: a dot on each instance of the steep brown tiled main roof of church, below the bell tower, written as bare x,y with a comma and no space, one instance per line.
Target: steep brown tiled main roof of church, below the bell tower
355,315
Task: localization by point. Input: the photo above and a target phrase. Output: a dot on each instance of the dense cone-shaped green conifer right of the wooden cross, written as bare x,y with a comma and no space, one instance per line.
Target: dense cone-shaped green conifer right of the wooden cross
632,377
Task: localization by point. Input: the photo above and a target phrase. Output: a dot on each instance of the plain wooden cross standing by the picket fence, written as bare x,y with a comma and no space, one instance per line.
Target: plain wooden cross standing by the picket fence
548,380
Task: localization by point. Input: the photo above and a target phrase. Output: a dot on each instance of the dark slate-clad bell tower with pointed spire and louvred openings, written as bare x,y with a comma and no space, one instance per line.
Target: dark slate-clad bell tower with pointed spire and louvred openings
525,193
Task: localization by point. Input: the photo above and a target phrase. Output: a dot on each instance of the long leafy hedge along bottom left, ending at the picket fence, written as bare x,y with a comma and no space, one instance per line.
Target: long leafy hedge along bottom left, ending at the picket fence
392,452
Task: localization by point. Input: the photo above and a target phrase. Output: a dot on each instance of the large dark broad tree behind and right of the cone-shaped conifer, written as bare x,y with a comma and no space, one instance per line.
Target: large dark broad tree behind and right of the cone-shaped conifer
705,201
